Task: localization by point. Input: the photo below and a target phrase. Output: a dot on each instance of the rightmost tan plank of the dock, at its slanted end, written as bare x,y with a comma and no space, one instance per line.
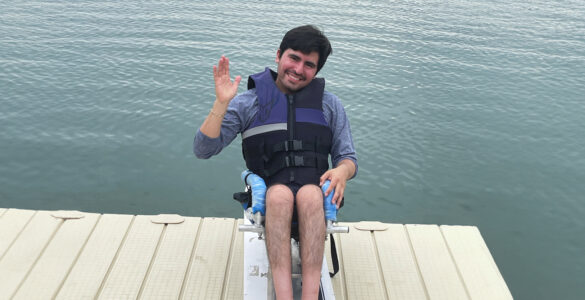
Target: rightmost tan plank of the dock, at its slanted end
475,263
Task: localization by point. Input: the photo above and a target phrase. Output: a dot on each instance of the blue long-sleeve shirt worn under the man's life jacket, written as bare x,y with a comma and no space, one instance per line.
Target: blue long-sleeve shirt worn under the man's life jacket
244,107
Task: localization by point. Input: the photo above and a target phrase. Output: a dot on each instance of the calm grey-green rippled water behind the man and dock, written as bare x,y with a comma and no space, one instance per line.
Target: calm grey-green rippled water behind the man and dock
463,112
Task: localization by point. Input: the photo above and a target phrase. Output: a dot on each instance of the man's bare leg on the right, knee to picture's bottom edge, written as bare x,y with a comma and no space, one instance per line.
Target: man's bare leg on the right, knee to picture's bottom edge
312,237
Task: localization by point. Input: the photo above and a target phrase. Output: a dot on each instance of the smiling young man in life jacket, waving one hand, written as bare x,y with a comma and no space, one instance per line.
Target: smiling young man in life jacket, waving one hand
289,125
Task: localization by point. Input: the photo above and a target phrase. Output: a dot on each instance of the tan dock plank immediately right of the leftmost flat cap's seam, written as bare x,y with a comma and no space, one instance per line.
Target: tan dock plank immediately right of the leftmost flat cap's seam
49,272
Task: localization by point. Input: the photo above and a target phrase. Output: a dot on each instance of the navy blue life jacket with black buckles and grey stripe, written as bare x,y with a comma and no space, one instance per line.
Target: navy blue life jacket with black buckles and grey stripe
289,140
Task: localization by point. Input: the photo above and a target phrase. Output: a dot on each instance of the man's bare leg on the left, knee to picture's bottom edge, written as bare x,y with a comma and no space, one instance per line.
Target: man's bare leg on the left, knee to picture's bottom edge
279,210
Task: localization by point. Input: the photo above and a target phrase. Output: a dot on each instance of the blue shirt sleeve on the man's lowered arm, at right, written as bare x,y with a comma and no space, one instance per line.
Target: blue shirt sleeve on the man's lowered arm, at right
342,147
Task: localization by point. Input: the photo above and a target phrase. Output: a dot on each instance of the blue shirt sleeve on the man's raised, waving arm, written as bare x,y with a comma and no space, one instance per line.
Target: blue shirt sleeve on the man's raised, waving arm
235,119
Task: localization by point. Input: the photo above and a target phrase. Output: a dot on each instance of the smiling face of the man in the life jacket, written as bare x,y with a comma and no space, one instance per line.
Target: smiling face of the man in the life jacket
295,70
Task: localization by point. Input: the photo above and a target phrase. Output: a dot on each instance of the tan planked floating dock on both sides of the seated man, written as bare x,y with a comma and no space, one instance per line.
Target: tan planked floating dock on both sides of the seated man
74,255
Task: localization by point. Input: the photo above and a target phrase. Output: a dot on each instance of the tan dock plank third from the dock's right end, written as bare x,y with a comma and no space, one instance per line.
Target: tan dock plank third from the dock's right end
398,264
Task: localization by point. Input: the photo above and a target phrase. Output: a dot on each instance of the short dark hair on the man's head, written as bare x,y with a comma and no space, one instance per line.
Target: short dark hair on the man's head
307,39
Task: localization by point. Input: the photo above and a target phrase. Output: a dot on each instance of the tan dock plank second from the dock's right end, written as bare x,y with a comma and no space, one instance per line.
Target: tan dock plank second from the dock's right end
437,268
